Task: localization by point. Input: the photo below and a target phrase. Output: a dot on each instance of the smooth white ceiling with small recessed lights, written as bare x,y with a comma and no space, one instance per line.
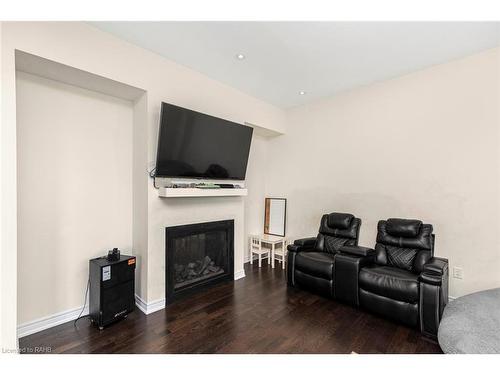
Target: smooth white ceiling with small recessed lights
321,58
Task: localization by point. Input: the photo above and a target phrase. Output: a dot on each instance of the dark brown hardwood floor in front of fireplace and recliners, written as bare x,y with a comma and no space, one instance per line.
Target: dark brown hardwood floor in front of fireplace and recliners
257,314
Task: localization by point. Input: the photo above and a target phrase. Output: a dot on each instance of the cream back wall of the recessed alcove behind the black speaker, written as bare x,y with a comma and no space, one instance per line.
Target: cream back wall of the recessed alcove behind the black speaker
74,150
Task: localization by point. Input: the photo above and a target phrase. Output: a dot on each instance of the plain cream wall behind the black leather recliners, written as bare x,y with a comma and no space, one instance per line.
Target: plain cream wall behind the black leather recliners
424,146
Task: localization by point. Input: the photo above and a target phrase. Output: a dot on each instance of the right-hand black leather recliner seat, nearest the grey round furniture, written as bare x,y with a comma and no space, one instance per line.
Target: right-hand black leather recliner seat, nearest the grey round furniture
405,281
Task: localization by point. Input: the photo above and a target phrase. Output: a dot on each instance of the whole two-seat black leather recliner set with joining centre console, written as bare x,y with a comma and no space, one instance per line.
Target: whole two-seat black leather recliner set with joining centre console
400,278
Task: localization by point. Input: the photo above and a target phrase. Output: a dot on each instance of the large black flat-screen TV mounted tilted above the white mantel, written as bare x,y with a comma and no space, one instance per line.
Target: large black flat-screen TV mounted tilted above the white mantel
196,145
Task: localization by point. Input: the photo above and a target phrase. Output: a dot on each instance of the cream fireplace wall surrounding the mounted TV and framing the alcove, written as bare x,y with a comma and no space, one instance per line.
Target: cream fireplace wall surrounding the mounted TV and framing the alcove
161,80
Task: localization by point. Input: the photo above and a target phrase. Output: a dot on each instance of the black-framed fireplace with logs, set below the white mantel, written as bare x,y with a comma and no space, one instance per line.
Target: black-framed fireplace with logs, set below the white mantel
198,256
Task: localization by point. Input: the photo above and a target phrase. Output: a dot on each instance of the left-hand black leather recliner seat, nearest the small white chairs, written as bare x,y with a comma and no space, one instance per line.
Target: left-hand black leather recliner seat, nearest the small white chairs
311,260
